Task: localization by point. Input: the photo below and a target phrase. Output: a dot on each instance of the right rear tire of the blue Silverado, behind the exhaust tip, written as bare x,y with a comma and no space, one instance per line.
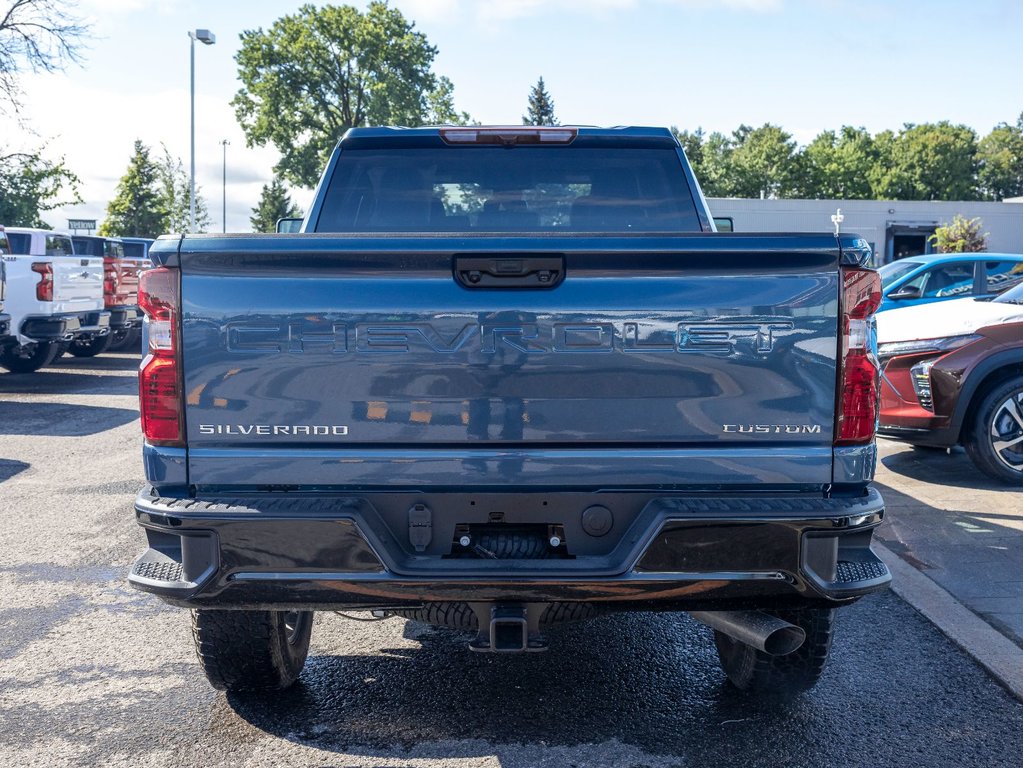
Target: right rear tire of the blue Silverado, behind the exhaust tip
784,676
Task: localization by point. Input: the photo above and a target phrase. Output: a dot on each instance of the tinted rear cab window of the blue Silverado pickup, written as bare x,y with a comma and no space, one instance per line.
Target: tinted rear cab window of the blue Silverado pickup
522,190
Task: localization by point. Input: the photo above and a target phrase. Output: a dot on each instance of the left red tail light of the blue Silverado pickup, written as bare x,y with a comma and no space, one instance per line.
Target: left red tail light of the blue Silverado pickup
160,384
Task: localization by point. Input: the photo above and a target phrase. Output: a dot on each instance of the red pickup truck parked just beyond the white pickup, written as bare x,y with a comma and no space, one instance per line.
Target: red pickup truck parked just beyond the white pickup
120,295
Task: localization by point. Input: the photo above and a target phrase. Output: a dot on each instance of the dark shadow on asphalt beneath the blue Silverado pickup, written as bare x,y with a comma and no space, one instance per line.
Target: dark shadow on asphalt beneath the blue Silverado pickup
632,683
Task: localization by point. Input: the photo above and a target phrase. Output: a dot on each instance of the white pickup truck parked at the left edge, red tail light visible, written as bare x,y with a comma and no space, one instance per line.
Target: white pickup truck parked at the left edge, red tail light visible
54,298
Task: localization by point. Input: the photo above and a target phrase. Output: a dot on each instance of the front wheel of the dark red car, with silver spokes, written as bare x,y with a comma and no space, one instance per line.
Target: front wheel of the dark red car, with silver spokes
995,440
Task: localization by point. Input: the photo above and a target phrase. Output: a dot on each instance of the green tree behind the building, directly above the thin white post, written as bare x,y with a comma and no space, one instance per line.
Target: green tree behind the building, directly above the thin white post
838,166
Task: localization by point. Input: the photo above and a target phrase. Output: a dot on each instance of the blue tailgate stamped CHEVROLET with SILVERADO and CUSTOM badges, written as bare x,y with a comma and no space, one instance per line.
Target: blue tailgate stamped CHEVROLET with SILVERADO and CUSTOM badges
690,362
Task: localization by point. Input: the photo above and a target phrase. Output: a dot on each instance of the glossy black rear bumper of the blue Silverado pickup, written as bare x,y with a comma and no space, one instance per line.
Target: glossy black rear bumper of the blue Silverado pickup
326,553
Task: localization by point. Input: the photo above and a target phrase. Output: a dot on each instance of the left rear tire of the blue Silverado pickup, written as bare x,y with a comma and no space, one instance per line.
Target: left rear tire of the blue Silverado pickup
252,650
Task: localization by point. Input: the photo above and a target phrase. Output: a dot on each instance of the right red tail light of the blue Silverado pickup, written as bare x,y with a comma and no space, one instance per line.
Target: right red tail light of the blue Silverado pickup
859,374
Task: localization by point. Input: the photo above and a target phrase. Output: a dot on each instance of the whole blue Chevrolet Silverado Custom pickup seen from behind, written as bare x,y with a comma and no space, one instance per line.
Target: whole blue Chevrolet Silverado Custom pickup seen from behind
507,378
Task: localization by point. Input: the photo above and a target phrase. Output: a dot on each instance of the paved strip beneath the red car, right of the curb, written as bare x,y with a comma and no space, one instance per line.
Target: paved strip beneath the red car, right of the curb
962,530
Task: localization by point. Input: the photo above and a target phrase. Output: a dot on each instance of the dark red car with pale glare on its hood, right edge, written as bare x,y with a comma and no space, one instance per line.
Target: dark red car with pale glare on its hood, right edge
953,375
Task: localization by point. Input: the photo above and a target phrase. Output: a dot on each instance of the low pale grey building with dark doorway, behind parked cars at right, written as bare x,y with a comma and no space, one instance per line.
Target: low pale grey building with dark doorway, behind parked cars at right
895,229
